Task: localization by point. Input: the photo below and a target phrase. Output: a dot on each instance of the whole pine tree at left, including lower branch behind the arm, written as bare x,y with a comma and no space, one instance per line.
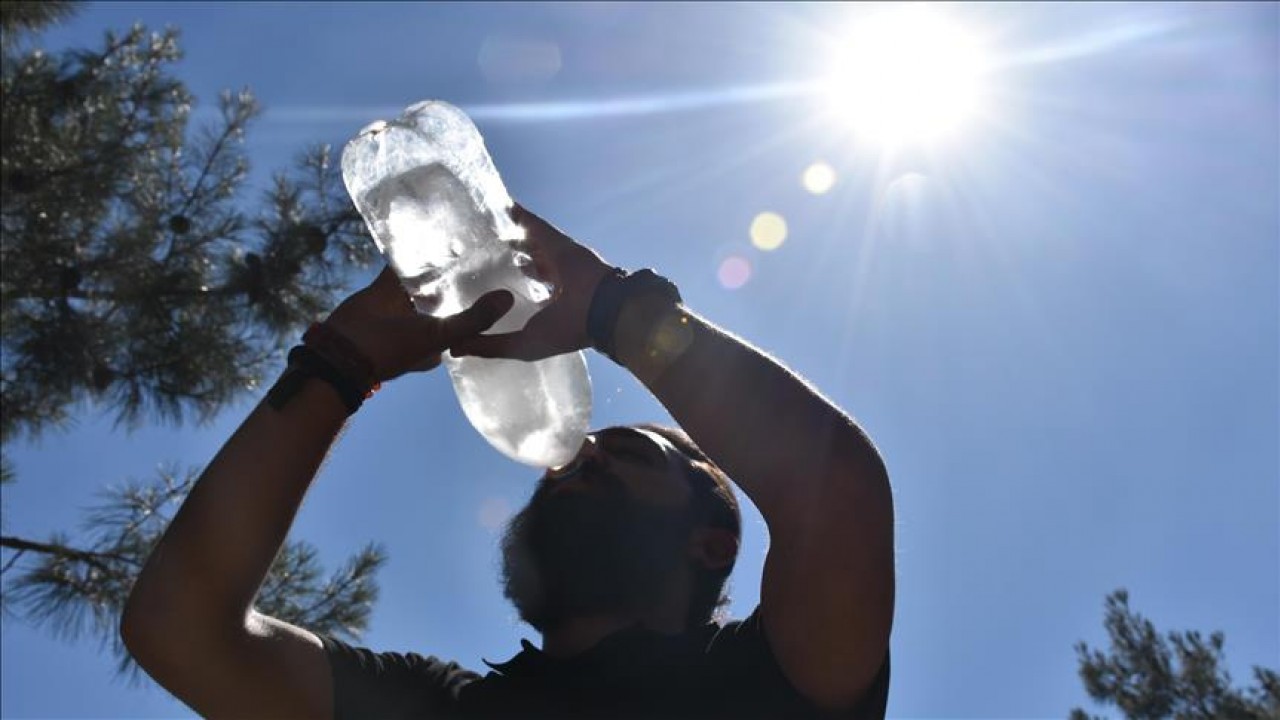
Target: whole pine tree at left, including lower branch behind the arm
136,279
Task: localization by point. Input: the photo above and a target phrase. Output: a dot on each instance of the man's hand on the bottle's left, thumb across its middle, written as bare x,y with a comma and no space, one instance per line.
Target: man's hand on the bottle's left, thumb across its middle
382,322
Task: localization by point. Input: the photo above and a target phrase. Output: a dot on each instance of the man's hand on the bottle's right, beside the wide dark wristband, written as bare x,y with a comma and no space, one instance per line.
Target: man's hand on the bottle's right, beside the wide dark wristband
561,326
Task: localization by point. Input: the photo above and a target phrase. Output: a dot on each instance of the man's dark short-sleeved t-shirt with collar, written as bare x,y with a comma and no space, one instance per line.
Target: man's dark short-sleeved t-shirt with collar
715,672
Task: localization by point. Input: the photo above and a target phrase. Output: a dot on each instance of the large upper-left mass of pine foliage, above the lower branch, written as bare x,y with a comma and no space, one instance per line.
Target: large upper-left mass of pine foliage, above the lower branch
131,274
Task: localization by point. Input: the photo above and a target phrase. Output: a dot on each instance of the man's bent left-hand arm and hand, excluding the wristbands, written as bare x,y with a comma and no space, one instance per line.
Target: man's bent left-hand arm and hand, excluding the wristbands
190,621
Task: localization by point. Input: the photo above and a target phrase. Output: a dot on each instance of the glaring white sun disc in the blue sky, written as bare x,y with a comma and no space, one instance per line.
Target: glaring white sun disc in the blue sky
908,75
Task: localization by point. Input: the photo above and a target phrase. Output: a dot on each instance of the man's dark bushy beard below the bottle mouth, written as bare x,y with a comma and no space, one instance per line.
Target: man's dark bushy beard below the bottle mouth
589,552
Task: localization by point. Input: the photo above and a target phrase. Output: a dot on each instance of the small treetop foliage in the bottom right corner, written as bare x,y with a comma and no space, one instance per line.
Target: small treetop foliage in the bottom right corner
1149,676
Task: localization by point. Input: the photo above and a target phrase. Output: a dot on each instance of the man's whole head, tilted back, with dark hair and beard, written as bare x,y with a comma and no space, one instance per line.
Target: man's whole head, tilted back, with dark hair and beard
638,508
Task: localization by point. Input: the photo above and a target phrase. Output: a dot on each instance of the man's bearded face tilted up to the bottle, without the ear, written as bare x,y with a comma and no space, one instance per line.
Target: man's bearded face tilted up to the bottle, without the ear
602,536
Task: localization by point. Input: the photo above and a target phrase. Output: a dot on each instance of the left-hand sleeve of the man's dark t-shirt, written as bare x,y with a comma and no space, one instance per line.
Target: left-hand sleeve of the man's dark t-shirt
369,685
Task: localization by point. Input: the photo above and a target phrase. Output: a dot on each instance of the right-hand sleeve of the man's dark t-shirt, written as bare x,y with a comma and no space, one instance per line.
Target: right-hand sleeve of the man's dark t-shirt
746,650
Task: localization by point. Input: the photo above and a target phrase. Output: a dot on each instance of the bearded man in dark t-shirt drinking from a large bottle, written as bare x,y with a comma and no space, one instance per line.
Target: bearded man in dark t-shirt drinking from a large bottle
619,559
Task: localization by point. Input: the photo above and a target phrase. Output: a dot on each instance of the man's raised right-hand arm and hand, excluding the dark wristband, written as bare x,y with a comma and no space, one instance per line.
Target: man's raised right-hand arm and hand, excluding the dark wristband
828,595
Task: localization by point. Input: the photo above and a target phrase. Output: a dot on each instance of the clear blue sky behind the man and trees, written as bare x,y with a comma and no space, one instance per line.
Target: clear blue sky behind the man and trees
1062,329
